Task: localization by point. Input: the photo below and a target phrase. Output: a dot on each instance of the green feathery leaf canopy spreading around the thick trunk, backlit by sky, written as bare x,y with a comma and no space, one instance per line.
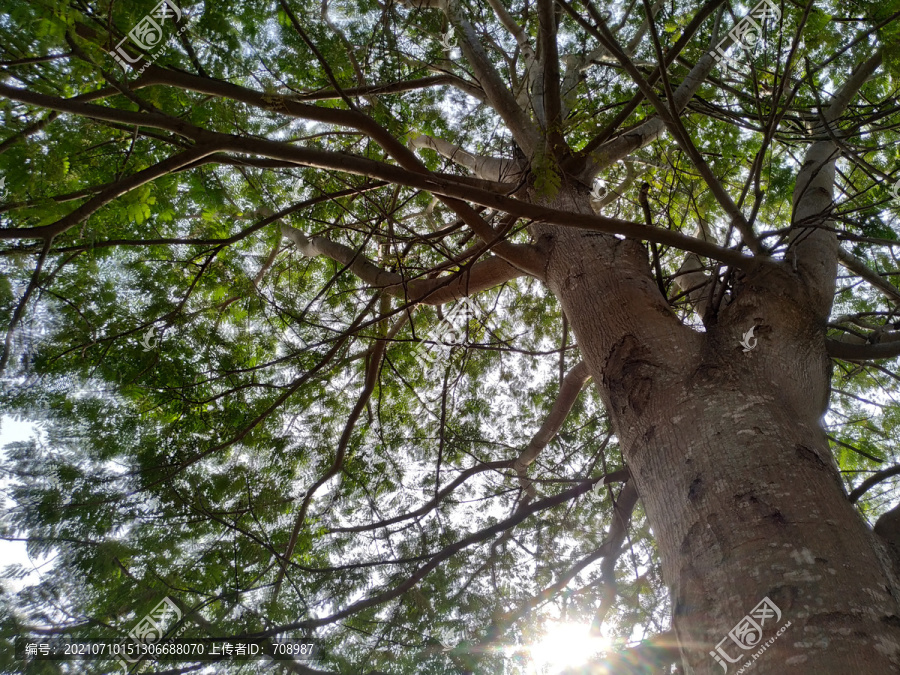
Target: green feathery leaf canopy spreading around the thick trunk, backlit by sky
210,396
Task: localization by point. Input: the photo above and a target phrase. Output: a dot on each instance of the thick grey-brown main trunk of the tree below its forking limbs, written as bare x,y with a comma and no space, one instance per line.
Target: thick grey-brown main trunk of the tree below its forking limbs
733,467
